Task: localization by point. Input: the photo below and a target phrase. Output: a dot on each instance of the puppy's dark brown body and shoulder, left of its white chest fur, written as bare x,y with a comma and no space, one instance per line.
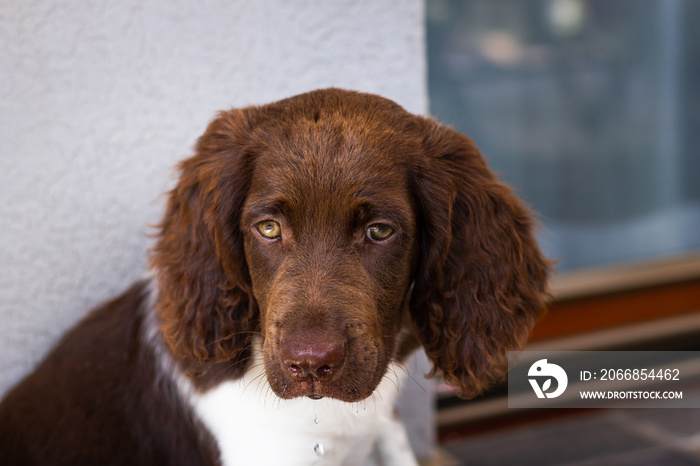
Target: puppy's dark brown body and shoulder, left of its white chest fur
96,399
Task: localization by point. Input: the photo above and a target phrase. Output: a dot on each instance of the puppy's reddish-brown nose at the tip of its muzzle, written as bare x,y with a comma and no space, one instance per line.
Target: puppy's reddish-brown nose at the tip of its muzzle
312,357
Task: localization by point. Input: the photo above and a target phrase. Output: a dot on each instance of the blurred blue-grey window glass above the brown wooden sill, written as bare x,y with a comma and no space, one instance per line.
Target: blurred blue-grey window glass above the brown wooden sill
589,108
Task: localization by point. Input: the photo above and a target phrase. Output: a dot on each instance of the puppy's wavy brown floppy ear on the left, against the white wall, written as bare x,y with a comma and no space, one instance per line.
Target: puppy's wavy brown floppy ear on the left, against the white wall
204,296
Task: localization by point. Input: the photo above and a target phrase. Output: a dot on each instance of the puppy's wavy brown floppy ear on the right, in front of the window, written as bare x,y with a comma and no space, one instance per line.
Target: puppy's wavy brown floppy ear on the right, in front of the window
481,279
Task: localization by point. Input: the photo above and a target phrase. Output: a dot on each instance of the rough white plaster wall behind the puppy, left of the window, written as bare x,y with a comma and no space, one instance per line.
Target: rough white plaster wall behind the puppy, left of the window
100,98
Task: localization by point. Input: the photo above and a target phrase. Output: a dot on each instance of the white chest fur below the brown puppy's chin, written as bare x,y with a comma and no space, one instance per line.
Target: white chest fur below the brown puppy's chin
254,427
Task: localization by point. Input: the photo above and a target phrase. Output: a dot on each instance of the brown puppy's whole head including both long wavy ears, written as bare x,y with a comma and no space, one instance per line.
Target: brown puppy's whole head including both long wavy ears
346,231
